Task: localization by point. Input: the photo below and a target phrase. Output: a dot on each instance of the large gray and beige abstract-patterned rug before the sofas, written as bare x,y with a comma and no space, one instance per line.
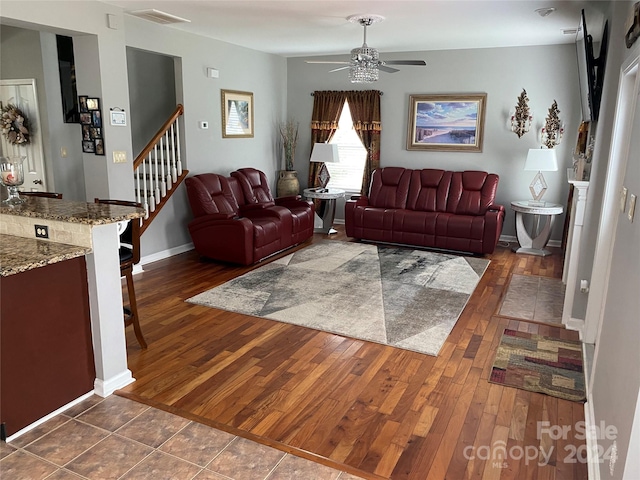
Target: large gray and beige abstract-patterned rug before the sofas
396,296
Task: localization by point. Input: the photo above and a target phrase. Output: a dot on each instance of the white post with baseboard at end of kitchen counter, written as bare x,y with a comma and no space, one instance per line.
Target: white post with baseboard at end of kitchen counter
107,320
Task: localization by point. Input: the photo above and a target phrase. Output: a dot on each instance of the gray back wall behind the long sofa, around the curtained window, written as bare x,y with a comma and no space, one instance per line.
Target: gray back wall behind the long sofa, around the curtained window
547,73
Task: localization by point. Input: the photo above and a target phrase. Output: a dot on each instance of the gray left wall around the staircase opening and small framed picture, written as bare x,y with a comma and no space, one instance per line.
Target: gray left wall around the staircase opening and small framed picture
205,150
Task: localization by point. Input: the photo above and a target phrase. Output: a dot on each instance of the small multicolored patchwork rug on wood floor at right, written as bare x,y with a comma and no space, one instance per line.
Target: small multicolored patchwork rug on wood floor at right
540,364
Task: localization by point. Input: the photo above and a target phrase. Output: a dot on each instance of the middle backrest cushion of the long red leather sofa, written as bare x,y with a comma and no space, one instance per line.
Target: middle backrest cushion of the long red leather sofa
428,190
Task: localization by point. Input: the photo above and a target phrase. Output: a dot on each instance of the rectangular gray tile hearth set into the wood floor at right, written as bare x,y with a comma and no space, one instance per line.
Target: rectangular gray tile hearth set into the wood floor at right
532,297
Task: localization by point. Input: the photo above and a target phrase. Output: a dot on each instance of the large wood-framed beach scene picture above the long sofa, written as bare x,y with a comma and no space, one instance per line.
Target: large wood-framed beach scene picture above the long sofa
446,122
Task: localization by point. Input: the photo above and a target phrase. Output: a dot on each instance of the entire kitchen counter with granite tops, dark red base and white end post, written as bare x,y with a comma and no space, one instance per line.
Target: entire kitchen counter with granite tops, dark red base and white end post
77,261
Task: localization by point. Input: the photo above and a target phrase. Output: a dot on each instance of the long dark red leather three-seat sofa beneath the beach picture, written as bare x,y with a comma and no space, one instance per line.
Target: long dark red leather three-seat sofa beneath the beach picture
428,208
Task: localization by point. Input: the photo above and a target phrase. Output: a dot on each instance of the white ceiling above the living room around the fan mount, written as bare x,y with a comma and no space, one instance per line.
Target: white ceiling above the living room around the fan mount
294,28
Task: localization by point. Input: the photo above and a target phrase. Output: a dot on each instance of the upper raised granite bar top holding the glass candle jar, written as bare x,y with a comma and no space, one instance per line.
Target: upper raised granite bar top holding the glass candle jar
72,212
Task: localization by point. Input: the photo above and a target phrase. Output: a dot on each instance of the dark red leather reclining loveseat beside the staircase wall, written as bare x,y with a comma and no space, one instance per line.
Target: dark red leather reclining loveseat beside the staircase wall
238,221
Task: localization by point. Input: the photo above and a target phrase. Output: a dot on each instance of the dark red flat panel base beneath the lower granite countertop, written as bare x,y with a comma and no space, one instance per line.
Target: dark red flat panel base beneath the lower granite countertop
46,351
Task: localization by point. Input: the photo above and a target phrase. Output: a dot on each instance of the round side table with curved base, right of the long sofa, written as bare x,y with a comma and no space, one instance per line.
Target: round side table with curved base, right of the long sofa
535,243
